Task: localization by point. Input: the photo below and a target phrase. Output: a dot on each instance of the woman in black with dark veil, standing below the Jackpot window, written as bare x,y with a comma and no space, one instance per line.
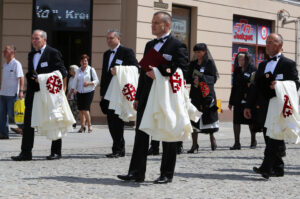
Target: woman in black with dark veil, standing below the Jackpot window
243,69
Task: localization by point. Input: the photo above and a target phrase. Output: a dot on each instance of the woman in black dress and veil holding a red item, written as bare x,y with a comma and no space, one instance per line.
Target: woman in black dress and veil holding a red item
202,76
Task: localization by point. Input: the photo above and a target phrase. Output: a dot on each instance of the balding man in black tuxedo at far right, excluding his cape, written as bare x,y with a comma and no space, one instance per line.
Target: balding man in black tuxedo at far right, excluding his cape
276,68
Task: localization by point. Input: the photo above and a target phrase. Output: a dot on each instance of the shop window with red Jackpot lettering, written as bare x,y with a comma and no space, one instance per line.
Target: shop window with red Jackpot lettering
250,34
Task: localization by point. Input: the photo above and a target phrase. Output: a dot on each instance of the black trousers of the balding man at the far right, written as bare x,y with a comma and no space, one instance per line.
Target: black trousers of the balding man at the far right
275,150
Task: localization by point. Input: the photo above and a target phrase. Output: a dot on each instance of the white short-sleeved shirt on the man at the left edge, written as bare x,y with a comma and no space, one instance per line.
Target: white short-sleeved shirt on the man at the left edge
11,73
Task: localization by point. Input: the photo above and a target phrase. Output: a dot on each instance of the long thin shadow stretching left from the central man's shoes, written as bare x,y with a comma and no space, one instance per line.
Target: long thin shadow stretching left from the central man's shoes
103,181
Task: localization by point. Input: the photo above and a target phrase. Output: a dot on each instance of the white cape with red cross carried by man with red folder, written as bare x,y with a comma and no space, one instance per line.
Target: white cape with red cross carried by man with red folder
168,111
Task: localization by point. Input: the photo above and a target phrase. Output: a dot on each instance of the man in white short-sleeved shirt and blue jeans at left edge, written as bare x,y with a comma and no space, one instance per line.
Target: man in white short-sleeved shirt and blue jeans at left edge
11,88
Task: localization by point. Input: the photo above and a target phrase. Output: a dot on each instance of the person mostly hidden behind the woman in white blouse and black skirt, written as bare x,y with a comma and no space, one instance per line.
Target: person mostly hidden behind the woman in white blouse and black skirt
71,96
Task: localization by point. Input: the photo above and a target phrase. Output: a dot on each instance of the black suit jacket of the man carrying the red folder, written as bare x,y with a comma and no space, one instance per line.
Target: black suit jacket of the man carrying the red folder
178,51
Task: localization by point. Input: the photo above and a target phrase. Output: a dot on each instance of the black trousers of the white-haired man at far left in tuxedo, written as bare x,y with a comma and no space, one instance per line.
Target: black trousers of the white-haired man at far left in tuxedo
28,132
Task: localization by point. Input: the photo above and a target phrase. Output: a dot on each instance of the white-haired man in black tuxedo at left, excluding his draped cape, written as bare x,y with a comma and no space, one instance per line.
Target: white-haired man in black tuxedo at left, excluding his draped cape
41,60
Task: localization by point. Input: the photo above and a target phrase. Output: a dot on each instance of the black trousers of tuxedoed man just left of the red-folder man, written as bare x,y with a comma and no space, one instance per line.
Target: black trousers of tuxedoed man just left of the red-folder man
116,129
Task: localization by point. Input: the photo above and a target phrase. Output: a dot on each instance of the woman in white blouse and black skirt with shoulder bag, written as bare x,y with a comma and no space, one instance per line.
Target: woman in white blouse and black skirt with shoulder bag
84,85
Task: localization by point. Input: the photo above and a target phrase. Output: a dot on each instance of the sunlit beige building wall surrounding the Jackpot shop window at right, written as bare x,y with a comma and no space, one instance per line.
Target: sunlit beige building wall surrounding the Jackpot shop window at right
214,21
